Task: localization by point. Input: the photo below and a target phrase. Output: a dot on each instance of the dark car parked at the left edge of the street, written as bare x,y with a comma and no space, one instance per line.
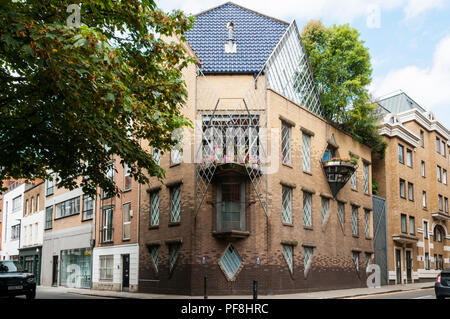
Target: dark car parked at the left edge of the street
15,281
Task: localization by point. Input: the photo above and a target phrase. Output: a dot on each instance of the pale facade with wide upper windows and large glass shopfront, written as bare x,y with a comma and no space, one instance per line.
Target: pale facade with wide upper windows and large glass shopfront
68,237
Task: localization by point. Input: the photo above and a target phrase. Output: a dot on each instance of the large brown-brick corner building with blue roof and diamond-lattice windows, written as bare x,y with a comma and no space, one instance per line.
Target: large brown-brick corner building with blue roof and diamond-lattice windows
251,196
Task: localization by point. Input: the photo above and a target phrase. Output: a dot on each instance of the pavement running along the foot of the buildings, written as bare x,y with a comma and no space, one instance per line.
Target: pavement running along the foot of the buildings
330,294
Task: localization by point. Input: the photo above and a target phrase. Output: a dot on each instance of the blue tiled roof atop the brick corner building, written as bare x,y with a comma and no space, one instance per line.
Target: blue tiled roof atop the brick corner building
256,36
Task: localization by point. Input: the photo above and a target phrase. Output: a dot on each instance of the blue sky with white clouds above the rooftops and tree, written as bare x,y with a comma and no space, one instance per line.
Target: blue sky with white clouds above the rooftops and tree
408,40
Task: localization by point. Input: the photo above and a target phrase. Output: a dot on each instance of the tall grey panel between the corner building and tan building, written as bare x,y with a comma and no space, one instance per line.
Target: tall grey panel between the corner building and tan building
380,243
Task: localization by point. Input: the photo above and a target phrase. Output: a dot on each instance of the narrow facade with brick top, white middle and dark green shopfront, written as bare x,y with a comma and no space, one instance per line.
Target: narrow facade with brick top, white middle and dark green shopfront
32,230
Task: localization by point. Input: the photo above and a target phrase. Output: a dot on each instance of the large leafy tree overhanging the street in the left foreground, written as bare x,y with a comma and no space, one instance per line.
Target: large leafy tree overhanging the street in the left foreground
72,97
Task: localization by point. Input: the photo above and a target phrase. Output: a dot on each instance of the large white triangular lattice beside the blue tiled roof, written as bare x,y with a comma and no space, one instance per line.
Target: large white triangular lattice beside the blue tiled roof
287,71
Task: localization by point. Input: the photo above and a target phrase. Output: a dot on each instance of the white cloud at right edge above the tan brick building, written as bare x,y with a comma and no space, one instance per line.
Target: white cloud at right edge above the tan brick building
429,86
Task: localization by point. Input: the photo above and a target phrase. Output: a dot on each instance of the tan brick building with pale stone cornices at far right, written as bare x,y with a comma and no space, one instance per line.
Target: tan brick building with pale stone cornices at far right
413,179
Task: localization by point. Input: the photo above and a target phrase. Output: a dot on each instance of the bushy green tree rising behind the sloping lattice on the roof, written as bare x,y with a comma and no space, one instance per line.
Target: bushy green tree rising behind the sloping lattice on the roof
342,71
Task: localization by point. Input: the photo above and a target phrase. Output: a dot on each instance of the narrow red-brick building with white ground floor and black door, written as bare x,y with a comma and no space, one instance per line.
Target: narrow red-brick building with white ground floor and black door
116,252
